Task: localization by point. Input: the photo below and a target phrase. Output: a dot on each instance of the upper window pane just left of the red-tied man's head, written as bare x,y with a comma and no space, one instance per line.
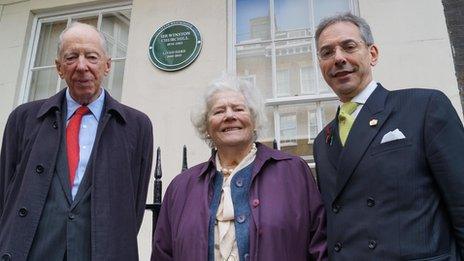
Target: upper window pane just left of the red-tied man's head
48,43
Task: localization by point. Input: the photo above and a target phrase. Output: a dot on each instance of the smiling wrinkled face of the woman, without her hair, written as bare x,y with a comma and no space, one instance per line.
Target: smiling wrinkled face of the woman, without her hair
229,120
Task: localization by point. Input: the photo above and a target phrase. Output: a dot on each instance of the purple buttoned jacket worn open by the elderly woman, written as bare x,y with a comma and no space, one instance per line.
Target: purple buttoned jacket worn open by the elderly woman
288,219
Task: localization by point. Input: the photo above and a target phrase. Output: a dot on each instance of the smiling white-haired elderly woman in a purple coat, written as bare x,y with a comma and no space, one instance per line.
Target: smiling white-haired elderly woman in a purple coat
247,202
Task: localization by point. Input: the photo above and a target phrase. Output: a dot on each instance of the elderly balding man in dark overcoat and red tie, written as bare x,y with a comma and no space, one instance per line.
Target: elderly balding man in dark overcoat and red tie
75,167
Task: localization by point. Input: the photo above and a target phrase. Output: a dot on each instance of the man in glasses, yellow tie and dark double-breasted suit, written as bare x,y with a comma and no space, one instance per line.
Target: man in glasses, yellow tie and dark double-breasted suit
391,164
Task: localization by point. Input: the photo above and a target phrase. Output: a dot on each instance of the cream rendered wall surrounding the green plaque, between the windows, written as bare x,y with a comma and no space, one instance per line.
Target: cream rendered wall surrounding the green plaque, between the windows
168,97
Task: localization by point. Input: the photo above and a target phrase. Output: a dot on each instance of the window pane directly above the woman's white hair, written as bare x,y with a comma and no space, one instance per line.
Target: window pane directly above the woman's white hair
255,61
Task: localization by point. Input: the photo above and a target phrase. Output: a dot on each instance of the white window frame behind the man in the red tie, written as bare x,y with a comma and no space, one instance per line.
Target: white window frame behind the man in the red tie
47,17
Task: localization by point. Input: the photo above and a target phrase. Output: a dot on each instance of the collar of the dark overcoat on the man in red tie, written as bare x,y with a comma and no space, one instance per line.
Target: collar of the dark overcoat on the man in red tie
54,104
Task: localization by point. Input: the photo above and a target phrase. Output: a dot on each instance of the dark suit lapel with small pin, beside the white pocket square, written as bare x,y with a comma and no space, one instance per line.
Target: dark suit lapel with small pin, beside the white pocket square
361,135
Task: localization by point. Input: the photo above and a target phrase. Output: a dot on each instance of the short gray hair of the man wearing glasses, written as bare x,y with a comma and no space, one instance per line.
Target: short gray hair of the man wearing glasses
364,28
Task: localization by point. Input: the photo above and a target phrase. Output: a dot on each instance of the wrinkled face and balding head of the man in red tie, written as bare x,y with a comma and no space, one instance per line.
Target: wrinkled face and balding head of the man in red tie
82,63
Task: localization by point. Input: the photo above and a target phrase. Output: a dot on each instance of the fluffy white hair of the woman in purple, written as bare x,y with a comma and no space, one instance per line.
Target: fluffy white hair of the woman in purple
253,101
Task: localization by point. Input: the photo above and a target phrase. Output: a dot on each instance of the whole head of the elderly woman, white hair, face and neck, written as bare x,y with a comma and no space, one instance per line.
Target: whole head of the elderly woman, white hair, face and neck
229,119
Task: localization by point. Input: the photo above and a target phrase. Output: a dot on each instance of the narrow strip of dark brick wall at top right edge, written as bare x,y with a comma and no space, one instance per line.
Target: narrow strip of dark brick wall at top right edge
454,14
